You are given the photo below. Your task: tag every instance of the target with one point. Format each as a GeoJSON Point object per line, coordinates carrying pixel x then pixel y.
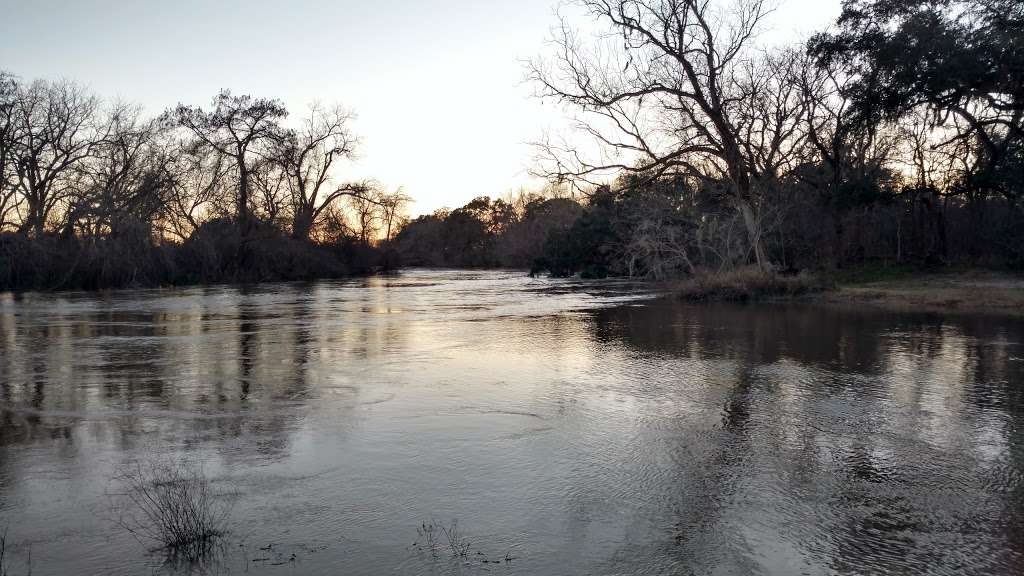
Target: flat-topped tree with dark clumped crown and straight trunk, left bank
{"type": "Point", "coordinates": [240, 129]}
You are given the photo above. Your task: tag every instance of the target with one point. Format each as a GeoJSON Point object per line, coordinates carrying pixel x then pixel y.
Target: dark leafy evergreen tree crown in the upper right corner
{"type": "Point", "coordinates": [961, 60]}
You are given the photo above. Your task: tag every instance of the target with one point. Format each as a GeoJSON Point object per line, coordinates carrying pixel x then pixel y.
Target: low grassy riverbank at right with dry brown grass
{"type": "Point", "coordinates": [951, 291]}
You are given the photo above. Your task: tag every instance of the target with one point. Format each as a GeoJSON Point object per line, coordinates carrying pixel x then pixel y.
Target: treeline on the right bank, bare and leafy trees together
{"type": "Point", "coordinates": [898, 137]}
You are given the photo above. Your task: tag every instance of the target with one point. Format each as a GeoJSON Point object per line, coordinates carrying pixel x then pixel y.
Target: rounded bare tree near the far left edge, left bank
{"type": "Point", "coordinates": [56, 131]}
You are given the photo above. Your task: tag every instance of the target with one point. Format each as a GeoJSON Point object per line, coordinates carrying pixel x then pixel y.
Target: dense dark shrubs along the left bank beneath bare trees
{"type": "Point", "coordinates": [217, 253]}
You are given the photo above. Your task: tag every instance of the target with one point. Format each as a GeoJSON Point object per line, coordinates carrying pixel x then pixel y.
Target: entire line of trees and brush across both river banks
{"type": "Point", "coordinates": [897, 137]}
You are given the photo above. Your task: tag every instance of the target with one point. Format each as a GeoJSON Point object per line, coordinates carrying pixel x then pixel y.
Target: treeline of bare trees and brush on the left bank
{"type": "Point", "coordinates": [95, 194]}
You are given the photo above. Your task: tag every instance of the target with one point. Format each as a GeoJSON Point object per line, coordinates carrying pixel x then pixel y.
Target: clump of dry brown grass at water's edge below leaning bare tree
{"type": "Point", "coordinates": [750, 283]}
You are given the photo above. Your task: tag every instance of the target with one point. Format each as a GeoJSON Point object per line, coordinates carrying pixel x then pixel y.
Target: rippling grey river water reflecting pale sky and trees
{"type": "Point", "coordinates": [573, 428]}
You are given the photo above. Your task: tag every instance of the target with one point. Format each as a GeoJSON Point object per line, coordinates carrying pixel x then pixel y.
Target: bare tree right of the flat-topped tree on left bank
{"type": "Point", "coordinates": [309, 157]}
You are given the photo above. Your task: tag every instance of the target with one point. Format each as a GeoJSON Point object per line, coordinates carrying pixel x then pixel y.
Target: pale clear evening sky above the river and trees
{"type": "Point", "coordinates": [438, 87]}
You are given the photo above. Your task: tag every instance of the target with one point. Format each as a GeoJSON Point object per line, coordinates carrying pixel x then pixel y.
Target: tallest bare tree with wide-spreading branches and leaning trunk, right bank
{"type": "Point", "coordinates": [668, 92]}
